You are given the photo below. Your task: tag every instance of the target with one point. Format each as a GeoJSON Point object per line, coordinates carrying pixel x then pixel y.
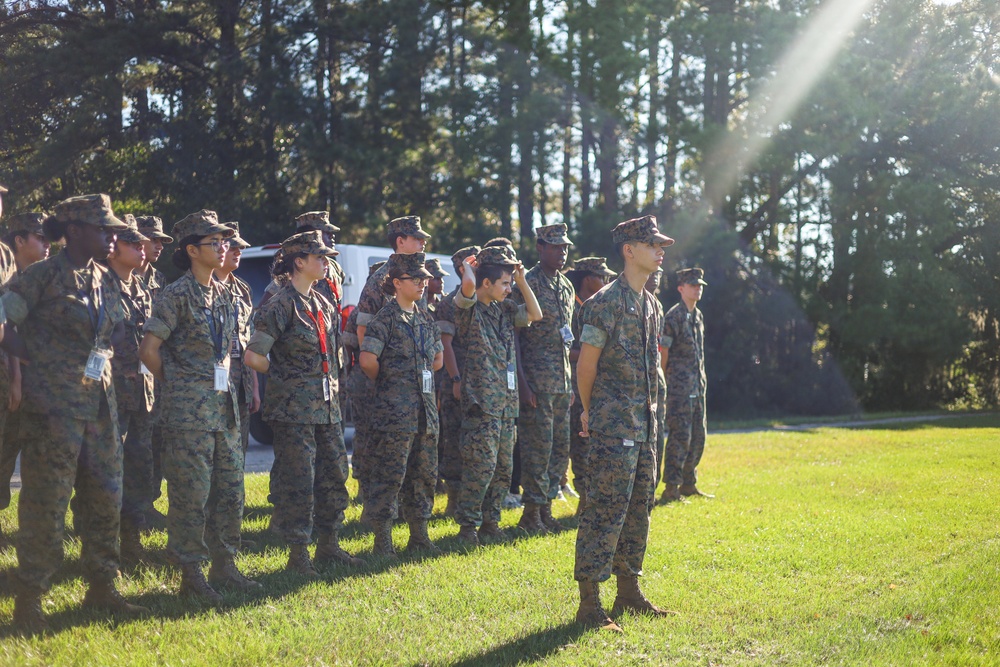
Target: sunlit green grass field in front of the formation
{"type": "Point", "coordinates": [876, 546]}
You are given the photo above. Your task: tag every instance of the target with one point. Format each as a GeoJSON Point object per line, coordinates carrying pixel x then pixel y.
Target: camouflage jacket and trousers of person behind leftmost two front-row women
{"type": "Point", "coordinates": [134, 391]}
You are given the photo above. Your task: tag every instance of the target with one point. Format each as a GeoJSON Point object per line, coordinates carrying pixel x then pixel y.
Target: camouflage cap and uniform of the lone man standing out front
{"type": "Point", "coordinates": [621, 463]}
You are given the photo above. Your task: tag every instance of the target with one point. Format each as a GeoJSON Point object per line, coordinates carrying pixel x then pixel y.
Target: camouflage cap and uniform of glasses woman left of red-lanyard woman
{"type": "Point", "coordinates": [203, 459]}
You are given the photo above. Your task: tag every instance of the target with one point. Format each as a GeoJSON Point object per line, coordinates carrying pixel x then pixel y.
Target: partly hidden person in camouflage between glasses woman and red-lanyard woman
{"type": "Point", "coordinates": [244, 379]}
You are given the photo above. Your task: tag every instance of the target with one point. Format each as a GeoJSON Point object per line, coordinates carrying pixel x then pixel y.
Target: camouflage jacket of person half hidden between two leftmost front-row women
{"type": "Point", "coordinates": [134, 390]}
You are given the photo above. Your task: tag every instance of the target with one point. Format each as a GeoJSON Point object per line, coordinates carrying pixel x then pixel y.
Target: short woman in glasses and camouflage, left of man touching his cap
{"type": "Point", "coordinates": [401, 351]}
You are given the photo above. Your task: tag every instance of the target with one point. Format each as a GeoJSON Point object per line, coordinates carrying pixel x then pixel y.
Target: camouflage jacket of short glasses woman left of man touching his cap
{"type": "Point", "coordinates": [405, 344]}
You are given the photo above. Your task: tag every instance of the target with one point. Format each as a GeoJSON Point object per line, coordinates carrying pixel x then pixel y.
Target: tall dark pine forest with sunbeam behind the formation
{"type": "Point", "coordinates": [832, 165]}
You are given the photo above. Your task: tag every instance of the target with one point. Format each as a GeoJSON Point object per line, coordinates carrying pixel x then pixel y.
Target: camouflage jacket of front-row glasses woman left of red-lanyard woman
{"type": "Point", "coordinates": [188, 399]}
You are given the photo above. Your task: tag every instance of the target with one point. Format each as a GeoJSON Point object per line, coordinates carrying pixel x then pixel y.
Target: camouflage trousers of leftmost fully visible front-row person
{"type": "Point", "coordinates": [61, 453]}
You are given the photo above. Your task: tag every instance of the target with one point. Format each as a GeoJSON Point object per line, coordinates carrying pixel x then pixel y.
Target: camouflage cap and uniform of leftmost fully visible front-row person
{"type": "Point", "coordinates": [69, 424]}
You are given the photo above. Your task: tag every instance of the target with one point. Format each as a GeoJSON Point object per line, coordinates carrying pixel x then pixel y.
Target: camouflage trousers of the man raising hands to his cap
{"type": "Point", "coordinates": [487, 461]}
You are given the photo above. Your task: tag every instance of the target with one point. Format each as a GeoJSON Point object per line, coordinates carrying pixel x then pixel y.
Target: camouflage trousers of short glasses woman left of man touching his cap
{"type": "Point", "coordinates": [404, 466]}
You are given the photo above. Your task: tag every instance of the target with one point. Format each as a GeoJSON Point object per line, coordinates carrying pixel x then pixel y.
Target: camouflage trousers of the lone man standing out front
{"type": "Point", "coordinates": [614, 525]}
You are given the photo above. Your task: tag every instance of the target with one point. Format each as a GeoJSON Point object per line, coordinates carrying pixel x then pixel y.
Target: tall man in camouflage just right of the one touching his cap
{"type": "Point", "coordinates": [545, 381]}
